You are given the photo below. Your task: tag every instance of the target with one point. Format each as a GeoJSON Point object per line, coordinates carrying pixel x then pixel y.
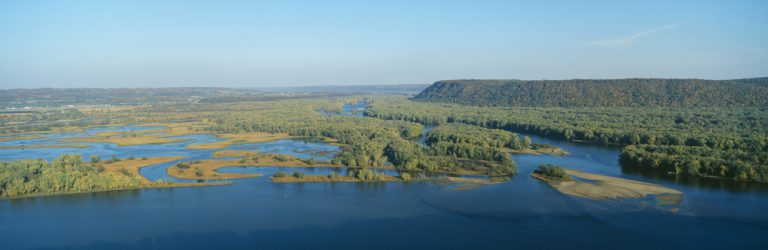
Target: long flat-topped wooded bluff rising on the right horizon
{"type": "Point", "coordinates": [751, 92]}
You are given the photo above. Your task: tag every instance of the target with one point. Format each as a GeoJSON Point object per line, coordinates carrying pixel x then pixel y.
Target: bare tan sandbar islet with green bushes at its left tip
{"type": "Point", "coordinates": [603, 187]}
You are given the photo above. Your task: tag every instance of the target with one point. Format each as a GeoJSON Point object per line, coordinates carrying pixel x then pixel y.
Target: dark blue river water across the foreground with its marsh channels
{"type": "Point", "coordinates": [257, 214]}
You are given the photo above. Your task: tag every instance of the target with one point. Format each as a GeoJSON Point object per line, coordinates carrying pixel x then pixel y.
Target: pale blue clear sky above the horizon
{"type": "Point", "coordinates": [66, 44]}
